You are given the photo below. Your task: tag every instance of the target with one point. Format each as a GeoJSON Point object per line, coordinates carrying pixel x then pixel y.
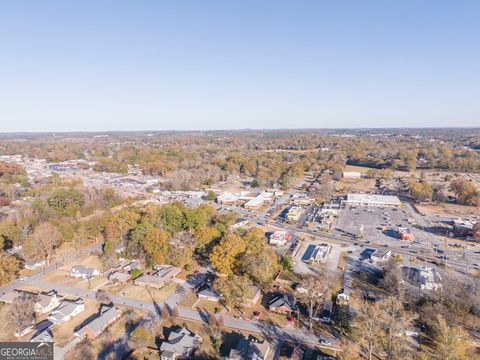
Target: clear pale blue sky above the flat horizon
{"type": "Point", "coordinates": [229, 64]}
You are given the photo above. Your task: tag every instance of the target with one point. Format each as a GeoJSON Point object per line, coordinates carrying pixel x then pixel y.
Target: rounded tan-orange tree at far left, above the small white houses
{"type": "Point", "coordinates": [45, 238]}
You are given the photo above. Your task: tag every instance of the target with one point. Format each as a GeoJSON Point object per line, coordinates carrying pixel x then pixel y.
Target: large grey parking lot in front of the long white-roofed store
{"type": "Point", "coordinates": [374, 219]}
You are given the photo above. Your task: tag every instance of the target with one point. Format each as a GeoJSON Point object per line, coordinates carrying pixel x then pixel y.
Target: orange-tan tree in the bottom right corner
{"type": "Point", "coordinates": [450, 341]}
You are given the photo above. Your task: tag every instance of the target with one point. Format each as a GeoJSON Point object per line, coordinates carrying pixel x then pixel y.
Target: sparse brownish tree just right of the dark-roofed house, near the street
{"type": "Point", "coordinates": [317, 290]}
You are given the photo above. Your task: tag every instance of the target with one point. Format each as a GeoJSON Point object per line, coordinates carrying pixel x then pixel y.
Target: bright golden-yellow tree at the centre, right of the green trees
{"type": "Point", "coordinates": [224, 254]}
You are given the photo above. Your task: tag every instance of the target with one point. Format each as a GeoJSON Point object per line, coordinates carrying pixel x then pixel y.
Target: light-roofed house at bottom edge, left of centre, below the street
{"type": "Point", "coordinates": [180, 344]}
